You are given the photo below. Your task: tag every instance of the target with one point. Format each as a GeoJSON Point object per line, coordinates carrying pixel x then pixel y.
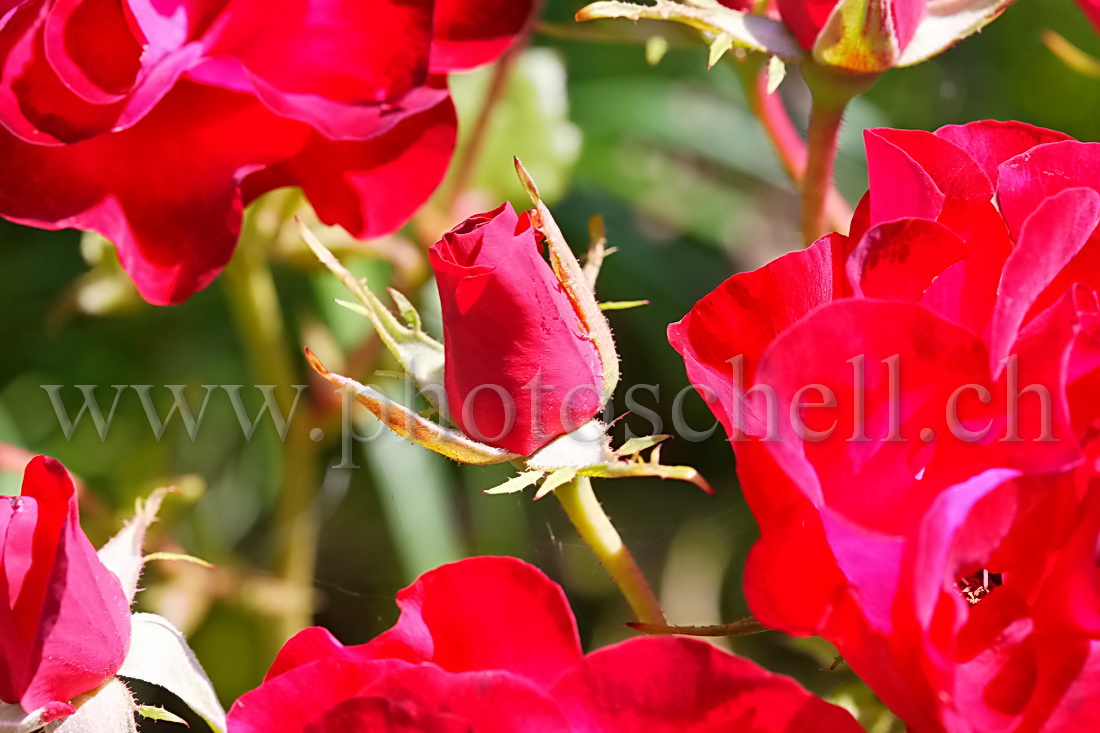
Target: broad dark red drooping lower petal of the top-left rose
{"type": "Point", "coordinates": [137, 188]}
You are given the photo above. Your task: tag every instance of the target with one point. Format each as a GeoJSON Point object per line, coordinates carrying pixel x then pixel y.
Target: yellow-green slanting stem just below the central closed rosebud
{"type": "Point", "coordinates": [596, 529]}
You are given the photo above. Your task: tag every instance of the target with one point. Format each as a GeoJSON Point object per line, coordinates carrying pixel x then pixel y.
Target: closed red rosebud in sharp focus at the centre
{"type": "Point", "coordinates": [520, 371]}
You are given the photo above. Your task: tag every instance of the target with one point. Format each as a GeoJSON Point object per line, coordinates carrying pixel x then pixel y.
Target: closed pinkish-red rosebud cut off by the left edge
{"type": "Point", "coordinates": [65, 629]}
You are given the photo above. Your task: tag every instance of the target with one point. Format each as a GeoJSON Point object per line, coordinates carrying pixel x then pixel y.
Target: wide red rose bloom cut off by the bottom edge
{"type": "Point", "coordinates": [490, 646]}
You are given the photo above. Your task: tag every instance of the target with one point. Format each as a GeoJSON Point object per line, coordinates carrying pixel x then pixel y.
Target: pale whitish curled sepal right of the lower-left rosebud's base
{"type": "Point", "coordinates": [159, 655]}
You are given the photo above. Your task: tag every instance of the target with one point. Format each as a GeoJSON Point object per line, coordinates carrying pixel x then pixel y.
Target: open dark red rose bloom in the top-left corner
{"type": "Point", "coordinates": [153, 124]}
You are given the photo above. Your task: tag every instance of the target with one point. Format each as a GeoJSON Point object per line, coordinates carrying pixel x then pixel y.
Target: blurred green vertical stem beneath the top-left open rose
{"type": "Point", "coordinates": [256, 308]}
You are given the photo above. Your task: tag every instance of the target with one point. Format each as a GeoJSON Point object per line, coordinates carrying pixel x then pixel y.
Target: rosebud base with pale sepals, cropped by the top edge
{"type": "Point", "coordinates": [874, 36]}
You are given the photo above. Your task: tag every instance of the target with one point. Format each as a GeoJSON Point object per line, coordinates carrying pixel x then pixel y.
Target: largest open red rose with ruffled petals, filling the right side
{"type": "Point", "coordinates": [915, 410]}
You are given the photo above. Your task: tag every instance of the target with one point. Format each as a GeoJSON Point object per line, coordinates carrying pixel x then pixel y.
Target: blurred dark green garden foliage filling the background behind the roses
{"type": "Point", "coordinates": [691, 195]}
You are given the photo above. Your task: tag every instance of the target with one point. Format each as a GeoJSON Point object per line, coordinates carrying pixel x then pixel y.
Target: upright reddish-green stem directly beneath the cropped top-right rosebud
{"type": "Point", "coordinates": [832, 91]}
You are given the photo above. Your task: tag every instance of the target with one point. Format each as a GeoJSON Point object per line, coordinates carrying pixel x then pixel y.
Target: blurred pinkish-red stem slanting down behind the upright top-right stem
{"type": "Point", "coordinates": [790, 148]}
